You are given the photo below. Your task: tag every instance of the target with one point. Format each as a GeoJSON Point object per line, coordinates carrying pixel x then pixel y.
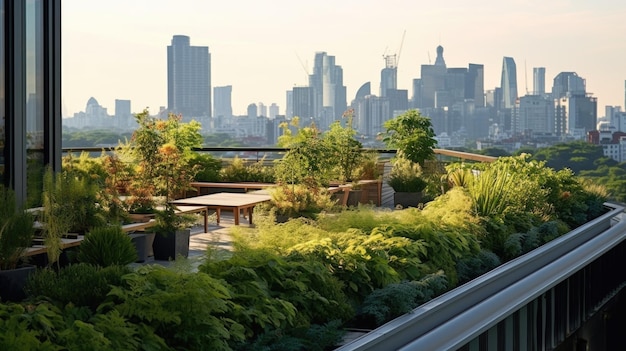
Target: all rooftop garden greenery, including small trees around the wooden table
{"type": "Point", "coordinates": [291, 285]}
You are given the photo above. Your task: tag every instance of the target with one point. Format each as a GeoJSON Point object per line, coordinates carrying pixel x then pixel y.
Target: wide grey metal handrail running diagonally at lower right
{"type": "Point", "coordinates": [429, 325]}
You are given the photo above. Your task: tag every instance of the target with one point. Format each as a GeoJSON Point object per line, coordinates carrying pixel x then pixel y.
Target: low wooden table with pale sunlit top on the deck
{"type": "Point", "coordinates": [226, 201]}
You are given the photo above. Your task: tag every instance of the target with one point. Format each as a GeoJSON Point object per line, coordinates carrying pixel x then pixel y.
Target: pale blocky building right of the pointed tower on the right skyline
{"type": "Point", "coordinates": [533, 114]}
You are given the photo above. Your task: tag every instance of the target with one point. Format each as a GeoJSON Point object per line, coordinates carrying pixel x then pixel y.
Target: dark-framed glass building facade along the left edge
{"type": "Point", "coordinates": [30, 95]}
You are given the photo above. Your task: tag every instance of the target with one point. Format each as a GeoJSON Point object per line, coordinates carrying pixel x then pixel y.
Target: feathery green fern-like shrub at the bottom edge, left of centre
{"type": "Point", "coordinates": [190, 311]}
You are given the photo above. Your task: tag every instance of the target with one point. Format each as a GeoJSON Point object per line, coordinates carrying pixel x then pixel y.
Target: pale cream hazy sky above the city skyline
{"type": "Point", "coordinates": [117, 49]}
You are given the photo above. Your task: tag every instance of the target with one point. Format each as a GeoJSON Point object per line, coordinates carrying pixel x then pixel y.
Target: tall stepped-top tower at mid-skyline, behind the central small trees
{"type": "Point", "coordinates": [329, 93]}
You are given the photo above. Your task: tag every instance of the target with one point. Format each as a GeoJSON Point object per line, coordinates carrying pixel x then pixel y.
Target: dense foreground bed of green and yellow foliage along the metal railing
{"type": "Point", "coordinates": [295, 285]}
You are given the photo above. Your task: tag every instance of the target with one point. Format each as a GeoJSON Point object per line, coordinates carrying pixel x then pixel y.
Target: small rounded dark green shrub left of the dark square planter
{"type": "Point", "coordinates": [107, 246]}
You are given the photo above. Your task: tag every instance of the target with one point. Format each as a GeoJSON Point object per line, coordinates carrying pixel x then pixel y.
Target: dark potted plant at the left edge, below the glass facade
{"type": "Point", "coordinates": [16, 235]}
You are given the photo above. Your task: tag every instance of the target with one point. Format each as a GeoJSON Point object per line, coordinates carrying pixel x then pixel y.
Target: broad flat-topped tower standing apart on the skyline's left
{"type": "Point", "coordinates": [188, 78]}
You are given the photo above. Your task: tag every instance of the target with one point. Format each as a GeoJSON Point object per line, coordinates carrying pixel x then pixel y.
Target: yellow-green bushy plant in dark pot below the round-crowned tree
{"type": "Point", "coordinates": [406, 179]}
